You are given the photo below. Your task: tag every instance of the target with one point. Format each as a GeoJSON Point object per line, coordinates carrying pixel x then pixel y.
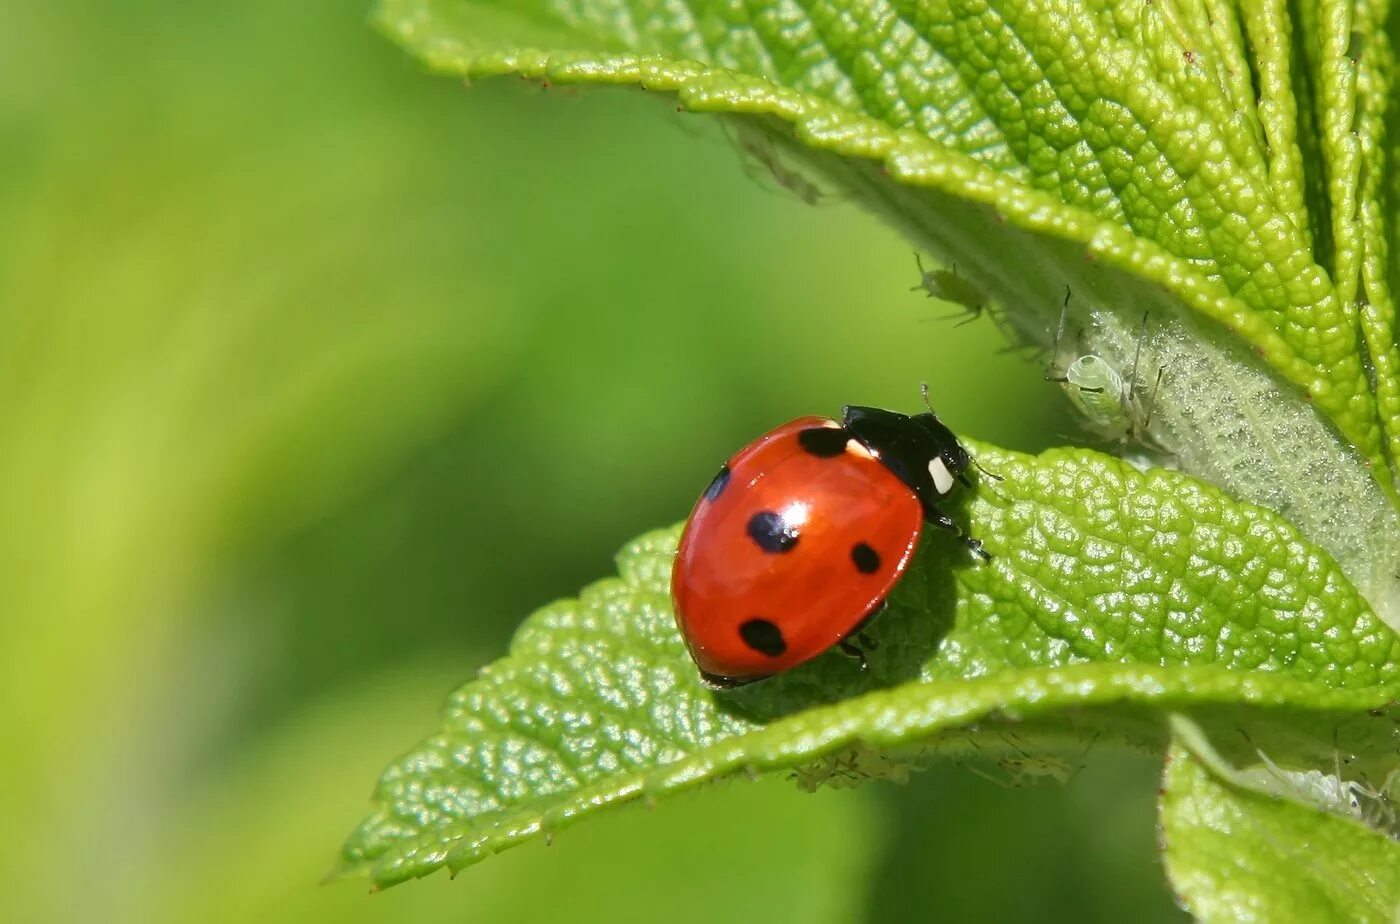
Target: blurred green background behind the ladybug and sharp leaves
{"type": "Point", "coordinates": [318, 374]}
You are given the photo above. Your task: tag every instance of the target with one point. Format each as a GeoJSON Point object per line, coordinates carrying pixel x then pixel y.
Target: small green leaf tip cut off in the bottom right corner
{"type": "Point", "coordinates": [1238, 855]}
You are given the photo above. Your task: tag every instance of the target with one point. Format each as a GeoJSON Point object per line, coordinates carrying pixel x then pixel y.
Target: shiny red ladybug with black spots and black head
{"type": "Point", "coordinates": [803, 534]}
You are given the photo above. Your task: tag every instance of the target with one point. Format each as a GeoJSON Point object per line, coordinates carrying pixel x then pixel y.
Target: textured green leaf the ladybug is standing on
{"type": "Point", "coordinates": [1112, 596]}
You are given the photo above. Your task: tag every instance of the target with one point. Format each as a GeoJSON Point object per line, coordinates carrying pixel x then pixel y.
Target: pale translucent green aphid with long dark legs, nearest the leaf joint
{"type": "Point", "coordinates": [1111, 404]}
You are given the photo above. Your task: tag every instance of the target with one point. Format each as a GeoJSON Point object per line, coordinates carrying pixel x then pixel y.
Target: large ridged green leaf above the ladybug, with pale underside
{"type": "Point", "coordinates": [1122, 150]}
